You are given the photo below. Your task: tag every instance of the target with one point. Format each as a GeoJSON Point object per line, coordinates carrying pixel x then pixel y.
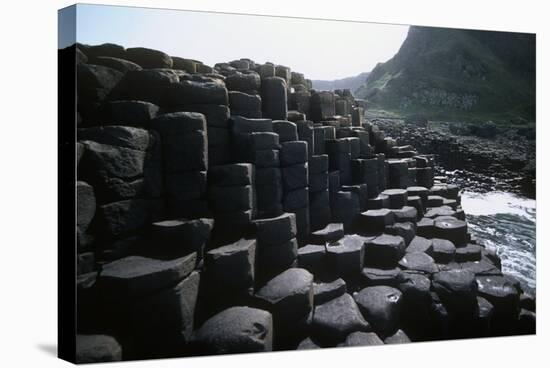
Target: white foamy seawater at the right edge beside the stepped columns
{"type": "Point", "coordinates": [506, 222]}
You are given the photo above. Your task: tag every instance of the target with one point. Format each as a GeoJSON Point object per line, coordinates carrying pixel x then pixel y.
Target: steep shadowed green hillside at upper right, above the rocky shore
{"type": "Point", "coordinates": [457, 74]}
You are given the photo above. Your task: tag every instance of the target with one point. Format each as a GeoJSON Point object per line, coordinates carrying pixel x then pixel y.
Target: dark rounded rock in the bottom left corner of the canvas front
{"type": "Point", "coordinates": [97, 349]}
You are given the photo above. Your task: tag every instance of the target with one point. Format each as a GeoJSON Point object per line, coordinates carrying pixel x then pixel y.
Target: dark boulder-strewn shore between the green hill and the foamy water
{"type": "Point", "coordinates": [488, 158]}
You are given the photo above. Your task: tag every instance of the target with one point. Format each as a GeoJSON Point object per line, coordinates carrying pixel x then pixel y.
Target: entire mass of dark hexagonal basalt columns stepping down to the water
{"type": "Point", "coordinates": [232, 208]}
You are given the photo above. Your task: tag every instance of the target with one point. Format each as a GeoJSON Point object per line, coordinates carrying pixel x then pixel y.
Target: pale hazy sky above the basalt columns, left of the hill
{"type": "Point", "coordinates": [320, 49]}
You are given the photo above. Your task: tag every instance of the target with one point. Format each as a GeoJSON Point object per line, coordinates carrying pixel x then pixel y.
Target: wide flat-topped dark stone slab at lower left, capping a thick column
{"type": "Point", "coordinates": [136, 275]}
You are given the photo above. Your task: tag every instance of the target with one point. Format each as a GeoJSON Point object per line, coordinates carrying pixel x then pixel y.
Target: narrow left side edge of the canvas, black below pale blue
{"type": "Point", "coordinates": [66, 159]}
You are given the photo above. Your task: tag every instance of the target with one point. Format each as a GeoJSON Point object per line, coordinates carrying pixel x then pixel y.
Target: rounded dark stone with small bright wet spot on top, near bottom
{"type": "Point", "coordinates": [381, 306]}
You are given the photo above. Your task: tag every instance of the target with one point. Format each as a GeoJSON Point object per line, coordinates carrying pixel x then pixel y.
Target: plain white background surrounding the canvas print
{"type": "Point", "coordinates": [28, 209]}
